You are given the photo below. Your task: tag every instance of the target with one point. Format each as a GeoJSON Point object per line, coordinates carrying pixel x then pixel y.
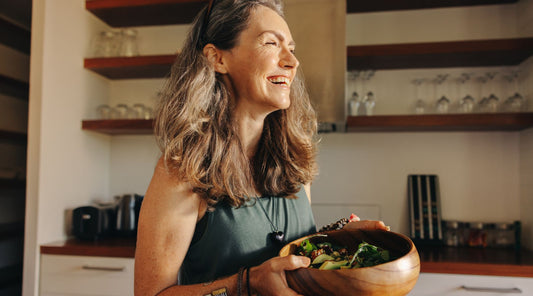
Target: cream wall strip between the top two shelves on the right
{"type": "Point", "coordinates": [430, 25]}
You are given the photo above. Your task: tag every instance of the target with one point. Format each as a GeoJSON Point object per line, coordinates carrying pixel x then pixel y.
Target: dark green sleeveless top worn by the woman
{"type": "Point", "coordinates": [237, 237]}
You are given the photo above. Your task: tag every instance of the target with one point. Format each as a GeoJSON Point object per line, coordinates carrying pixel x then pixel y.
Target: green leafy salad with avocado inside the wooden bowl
{"type": "Point", "coordinates": [328, 256]}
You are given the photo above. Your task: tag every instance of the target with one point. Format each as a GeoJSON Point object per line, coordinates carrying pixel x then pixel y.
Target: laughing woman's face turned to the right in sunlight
{"type": "Point", "coordinates": [262, 66]}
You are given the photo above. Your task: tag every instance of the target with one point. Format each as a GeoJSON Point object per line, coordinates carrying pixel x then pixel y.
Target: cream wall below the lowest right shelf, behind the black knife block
{"type": "Point", "coordinates": [478, 173]}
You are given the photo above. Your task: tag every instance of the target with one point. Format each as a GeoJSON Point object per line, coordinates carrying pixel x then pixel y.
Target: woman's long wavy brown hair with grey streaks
{"type": "Point", "coordinates": [193, 124]}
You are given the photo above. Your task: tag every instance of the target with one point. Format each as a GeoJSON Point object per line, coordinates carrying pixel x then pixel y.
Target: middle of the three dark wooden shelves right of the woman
{"type": "Point", "coordinates": [495, 52]}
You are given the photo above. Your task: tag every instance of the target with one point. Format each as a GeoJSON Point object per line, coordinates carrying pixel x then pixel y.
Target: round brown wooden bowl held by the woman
{"type": "Point", "coordinates": [393, 278]}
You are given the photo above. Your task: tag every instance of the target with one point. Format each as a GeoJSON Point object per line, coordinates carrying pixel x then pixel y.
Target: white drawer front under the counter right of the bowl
{"type": "Point", "coordinates": [436, 284]}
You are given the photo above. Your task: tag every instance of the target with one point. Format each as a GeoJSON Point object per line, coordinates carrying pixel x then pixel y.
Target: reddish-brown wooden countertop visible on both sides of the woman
{"type": "Point", "coordinates": [455, 260]}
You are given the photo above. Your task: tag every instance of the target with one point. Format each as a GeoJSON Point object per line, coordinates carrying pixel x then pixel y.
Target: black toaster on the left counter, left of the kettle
{"type": "Point", "coordinates": [93, 222]}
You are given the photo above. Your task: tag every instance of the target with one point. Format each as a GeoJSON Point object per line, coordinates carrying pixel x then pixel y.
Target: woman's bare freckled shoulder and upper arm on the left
{"type": "Point", "coordinates": [166, 225]}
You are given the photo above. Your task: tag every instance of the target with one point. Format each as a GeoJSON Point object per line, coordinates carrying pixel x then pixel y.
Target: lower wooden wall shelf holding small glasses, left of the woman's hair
{"type": "Point", "coordinates": [120, 126]}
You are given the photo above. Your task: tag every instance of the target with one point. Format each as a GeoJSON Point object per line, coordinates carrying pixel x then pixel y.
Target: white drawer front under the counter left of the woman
{"type": "Point", "coordinates": [86, 275]}
